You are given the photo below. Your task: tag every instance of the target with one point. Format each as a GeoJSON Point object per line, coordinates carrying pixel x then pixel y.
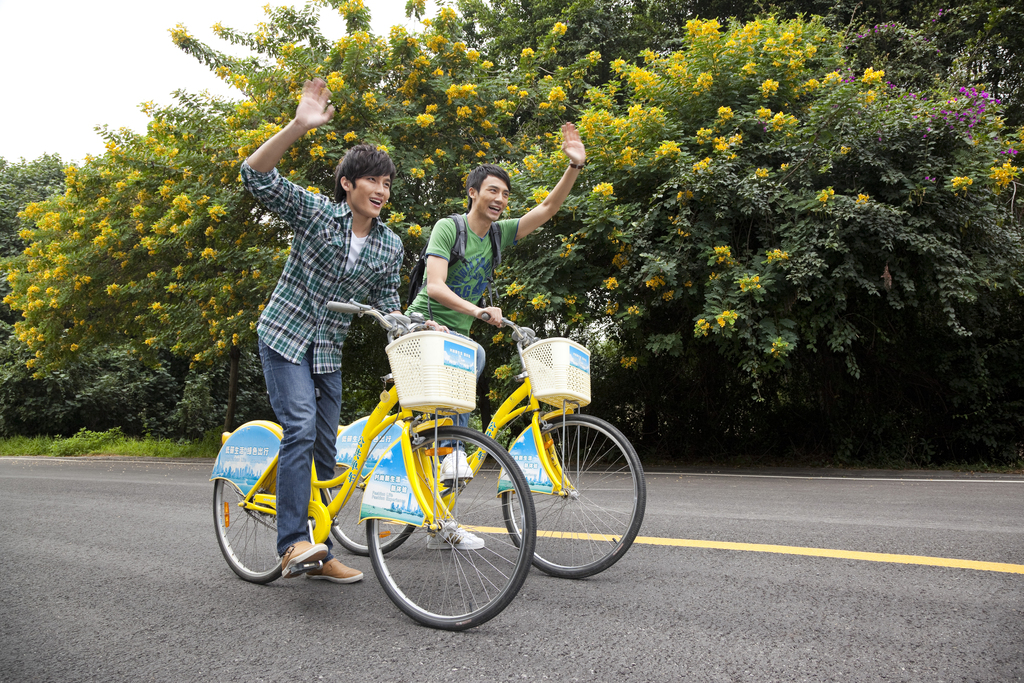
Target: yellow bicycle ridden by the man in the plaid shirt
{"type": "Point", "coordinates": [414, 521]}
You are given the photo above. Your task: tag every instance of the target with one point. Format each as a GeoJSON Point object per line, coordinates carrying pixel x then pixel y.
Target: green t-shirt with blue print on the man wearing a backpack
{"type": "Point", "coordinates": [468, 278]}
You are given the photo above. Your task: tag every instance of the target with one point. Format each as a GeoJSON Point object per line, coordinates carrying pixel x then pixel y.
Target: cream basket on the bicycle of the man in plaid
{"type": "Point", "coordinates": [435, 371]}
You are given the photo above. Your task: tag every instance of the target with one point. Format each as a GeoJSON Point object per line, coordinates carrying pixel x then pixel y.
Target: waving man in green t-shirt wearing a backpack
{"type": "Point", "coordinates": [454, 294]}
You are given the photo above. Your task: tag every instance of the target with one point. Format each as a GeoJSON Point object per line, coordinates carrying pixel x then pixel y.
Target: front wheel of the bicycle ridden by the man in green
{"type": "Point", "coordinates": [587, 532]}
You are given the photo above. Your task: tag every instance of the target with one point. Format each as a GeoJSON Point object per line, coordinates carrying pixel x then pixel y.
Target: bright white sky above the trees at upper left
{"type": "Point", "coordinates": [68, 67]}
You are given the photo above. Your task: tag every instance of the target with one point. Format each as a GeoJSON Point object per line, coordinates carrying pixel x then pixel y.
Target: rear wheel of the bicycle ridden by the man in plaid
{"type": "Point", "coordinates": [248, 539]}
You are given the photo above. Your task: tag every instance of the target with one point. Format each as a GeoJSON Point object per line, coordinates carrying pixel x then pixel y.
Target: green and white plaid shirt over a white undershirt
{"type": "Point", "coordinates": [315, 273]}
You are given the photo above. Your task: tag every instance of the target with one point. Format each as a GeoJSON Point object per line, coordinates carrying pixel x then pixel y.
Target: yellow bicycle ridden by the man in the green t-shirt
{"type": "Point", "coordinates": [586, 479]}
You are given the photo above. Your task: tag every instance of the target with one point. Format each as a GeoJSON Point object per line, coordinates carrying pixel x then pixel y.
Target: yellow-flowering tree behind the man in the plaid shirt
{"type": "Point", "coordinates": [156, 244]}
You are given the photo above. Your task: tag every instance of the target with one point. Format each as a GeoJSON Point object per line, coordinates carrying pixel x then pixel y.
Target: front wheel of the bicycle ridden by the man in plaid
{"type": "Point", "coordinates": [457, 586]}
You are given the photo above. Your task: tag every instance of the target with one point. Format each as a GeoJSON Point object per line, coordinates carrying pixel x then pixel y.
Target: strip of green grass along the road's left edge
{"type": "Point", "coordinates": [112, 443]}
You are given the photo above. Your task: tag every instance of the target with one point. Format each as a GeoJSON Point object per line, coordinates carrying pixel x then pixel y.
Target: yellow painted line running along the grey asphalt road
{"type": "Point", "coordinates": [788, 550]}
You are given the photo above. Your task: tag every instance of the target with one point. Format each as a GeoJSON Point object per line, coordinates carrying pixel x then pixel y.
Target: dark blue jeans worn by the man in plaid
{"type": "Point", "coordinates": [311, 426]}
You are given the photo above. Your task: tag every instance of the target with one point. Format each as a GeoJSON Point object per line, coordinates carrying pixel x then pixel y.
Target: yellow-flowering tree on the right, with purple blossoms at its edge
{"type": "Point", "coordinates": [754, 195]}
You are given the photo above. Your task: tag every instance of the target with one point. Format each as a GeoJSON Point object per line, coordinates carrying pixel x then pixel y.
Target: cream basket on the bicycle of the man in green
{"type": "Point", "coordinates": [560, 370]}
